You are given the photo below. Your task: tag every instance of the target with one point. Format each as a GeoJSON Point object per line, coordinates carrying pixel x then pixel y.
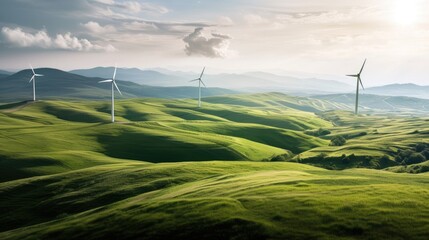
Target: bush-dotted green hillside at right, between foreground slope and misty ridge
{"type": "Point", "coordinates": [372, 141]}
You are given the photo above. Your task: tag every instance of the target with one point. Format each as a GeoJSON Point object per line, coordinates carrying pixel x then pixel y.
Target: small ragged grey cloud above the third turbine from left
{"type": "Point", "coordinates": [215, 46]}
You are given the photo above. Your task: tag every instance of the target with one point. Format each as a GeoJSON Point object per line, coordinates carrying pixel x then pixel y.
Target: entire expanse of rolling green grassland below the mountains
{"type": "Point", "coordinates": [232, 169]}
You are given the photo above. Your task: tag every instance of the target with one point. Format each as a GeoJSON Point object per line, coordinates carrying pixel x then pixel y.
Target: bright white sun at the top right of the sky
{"type": "Point", "coordinates": [405, 12]}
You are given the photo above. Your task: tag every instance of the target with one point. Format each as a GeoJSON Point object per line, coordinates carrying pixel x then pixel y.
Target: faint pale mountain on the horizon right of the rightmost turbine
{"type": "Point", "coordinates": [410, 90]}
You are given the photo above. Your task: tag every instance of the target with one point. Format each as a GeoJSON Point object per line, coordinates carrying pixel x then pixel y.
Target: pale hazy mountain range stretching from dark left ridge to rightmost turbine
{"type": "Point", "coordinates": [249, 82]}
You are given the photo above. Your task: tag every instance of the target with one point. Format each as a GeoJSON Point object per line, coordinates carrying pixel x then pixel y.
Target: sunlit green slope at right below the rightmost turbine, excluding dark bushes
{"type": "Point", "coordinates": [384, 135]}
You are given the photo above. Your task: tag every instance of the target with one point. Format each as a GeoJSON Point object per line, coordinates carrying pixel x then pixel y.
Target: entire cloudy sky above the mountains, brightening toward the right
{"type": "Point", "coordinates": [319, 38]}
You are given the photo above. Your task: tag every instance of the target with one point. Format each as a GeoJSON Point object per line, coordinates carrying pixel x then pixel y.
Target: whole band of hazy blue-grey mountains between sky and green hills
{"type": "Point", "coordinates": [162, 83]}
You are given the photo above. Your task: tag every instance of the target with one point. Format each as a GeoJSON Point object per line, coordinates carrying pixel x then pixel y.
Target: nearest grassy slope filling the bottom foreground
{"type": "Point", "coordinates": [216, 200]}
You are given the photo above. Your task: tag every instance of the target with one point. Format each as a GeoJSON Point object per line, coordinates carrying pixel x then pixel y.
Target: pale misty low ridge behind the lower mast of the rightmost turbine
{"type": "Point", "coordinates": [369, 102]}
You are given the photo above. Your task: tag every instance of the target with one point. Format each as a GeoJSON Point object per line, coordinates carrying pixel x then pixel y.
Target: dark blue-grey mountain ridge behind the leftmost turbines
{"type": "Point", "coordinates": [60, 84]}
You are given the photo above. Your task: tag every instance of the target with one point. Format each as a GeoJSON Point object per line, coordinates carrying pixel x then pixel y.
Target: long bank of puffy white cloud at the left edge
{"type": "Point", "coordinates": [18, 38]}
